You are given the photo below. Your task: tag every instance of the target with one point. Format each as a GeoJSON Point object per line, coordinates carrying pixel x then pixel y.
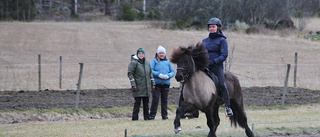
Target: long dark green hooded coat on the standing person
{"type": "Point", "coordinates": [140, 75]}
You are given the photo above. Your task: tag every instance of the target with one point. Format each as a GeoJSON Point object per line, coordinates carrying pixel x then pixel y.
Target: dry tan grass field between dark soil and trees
{"type": "Point", "coordinates": [105, 49]}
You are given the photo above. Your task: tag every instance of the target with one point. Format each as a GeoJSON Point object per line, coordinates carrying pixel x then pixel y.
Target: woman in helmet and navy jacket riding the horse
{"type": "Point", "coordinates": [217, 47]}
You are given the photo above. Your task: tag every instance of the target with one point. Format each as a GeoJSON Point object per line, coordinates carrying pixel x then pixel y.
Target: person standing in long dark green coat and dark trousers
{"type": "Point", "coordinates": [142, 83]}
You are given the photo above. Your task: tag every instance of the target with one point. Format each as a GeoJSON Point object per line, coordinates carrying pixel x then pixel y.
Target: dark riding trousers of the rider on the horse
{"type": "Point", "coordinates": [218, 71]}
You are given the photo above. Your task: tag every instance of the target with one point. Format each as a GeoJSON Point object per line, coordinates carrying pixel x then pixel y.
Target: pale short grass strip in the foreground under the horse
{"type": "Point", "coordinates": [294, 119]}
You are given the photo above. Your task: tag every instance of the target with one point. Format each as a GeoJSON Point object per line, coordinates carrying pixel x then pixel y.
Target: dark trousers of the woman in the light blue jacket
{"type": "Point", "coordinates": [160, 91]}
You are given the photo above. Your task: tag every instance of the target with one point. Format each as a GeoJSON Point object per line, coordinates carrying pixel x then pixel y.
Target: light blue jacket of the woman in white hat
{"type": "Point", "coordinates": [164, 67]}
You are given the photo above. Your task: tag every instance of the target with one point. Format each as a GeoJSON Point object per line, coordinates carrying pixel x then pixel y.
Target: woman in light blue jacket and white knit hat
{"type": "Point", "coordinates": [162, 71]}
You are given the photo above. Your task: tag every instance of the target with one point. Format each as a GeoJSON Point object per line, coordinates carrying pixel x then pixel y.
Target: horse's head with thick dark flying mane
{"type": "Point", "coordinates": [189, 60]}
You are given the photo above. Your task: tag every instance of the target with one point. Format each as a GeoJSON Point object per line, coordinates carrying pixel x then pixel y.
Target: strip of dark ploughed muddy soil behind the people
{"type": "Point", "coordinates": [106, 98]}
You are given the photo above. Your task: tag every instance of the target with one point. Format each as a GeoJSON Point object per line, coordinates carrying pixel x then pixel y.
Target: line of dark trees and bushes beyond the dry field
{"type": "Point", "coordinates": [181, 12]}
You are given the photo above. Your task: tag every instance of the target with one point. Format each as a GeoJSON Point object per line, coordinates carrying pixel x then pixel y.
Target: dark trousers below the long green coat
{"type": "Point", "coordinates": [136, 108]}
